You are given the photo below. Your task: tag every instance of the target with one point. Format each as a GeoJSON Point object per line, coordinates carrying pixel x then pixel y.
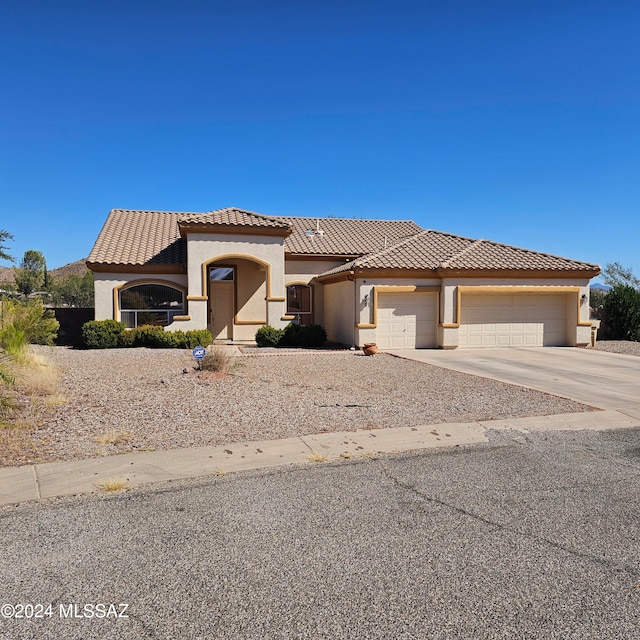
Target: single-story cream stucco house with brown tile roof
{"type": "Point", "coordinates": [383, 281]}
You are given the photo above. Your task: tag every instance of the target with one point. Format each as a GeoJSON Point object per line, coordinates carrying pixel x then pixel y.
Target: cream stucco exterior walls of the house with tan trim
{"type": "Point", "coordinates": [260, 291]}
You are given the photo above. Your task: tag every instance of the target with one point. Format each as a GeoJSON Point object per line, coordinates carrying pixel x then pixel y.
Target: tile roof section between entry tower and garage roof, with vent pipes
{"type": "Point", "coordinates": [344, 236]}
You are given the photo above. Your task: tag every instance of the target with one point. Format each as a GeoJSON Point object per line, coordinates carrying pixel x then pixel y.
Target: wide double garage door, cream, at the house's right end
{"type": "Point", "coordinates": [513, 320]}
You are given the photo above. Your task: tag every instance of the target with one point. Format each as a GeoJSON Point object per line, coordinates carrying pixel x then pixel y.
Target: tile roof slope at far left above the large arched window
{"type": "Point", "coordinates": [139, 238]}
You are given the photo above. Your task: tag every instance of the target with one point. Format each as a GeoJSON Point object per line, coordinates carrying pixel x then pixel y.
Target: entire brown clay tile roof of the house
{"type": "Point", "coordinates": [137, 238]}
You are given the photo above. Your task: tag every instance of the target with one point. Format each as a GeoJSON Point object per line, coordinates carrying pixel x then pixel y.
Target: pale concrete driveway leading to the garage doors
{"type": "Point", "coordinates": [601, 379]}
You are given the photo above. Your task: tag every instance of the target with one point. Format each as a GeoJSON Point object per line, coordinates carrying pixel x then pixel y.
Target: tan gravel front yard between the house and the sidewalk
{"type": "Point", "coordinates": [133, 399]}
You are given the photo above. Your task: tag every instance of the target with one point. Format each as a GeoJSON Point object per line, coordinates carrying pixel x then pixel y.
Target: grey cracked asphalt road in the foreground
{"type": "Point", "coordinates": [529, 536]}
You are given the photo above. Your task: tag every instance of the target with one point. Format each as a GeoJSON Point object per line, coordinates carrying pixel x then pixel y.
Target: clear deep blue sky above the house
{"type": "Point", "coordinates": [513, 121]}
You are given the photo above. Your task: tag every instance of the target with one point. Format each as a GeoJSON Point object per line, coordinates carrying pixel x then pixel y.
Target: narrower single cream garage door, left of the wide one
{"type": "Point", "coordinates": [406, 320]}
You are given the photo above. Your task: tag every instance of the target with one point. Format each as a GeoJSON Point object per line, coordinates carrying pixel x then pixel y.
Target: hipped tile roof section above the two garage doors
{"type": "Point", "coordinates": [434, 250]}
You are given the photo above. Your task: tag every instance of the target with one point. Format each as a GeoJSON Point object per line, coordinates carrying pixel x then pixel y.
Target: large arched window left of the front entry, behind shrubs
{"type": "Point", "coordinates": [150, 304]}
